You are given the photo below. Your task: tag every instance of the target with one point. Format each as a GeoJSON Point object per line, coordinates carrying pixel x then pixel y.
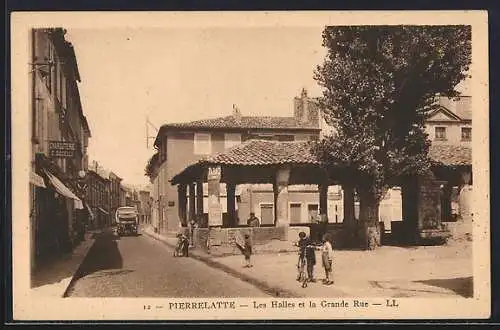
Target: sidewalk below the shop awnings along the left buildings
{"type": "Point", "coordinates": [53, 278]}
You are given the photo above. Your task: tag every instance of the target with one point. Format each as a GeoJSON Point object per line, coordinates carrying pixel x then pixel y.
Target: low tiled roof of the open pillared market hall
{"type": "Point", "coordinates": [264, 152]}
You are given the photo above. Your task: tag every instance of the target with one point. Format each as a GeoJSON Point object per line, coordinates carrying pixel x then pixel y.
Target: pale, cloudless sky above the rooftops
{"type": "Point", "coordinates": [175, 75]}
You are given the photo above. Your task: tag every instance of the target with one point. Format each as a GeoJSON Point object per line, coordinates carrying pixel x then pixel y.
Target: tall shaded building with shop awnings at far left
{"type": "Point", "coordinates": [59, 140]}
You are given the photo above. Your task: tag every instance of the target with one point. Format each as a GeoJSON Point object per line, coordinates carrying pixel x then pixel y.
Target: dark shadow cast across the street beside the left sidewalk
{"type": "Point", "coordinates": [103, 255]}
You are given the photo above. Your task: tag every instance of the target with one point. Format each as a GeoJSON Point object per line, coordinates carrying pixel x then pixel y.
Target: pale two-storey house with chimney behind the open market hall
{"type": "Point", "coordinates": [183, 143]}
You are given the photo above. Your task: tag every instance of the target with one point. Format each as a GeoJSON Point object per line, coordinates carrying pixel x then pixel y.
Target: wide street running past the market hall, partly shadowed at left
{"type": "Point", "coordinates": [139, 266]}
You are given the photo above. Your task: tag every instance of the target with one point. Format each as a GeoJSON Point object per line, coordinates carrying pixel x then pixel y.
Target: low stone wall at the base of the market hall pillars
{"type": "Point", "coordinates": [221, 241]}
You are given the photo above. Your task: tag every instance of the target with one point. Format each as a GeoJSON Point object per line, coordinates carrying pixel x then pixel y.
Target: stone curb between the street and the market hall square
{"type": "Point", "coordinates": [262, 285]}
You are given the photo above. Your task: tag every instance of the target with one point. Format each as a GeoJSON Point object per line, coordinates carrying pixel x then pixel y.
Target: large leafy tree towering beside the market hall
{"type": "Point", "coordinates": [379, 85]}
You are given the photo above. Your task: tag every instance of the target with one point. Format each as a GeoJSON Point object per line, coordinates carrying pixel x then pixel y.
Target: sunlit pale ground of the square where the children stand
{"type": "Point", "coordinates": [423, 271]}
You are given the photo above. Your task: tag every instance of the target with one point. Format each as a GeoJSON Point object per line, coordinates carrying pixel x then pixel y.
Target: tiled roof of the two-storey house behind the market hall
{"type": "Point", "coordinates": [245, 122]}
